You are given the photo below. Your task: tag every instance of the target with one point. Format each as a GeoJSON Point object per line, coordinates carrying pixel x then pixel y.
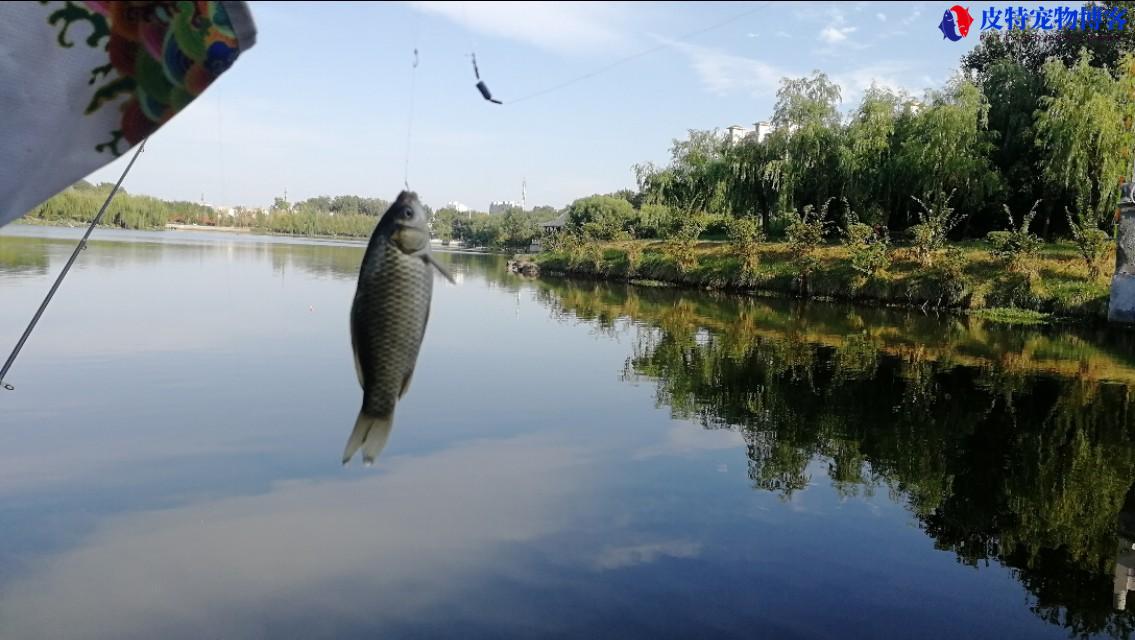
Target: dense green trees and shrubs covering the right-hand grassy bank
{"type": "Point", "coordinates": [997, 191]}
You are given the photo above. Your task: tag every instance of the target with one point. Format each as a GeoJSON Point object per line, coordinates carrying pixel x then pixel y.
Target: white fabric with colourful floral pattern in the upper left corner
{"type": "Point", "coordinates": [82, 83]}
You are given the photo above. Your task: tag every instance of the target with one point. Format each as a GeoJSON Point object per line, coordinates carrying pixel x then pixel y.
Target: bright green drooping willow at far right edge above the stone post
{"type": "Point", "coordinates": [1086, 130]}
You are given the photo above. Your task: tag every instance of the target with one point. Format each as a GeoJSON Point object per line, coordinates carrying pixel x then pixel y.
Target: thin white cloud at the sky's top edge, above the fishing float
{"type": "Point", "coordinates": [568, 28]}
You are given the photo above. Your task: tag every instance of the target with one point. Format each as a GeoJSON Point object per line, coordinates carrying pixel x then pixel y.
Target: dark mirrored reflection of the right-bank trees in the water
{"type": "Point", "coordinates": [1008, 447]}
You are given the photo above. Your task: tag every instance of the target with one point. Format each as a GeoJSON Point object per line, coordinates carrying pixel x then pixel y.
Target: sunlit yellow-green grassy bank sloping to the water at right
{"type": "Point", "coordinates": [1053, 284]}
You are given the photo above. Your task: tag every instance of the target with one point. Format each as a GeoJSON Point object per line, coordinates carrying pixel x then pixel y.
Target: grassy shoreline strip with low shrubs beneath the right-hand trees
{"type": "Point", "coordinates": [982, 289]}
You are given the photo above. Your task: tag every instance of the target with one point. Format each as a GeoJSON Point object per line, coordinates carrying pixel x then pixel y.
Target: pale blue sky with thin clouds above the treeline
{"type": "Point", "coordinates": [321, 105]}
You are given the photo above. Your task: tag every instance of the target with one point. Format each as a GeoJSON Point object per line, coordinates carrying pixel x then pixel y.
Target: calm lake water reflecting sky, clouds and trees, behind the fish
{"type": "Point", "coordinates": [573, 460]}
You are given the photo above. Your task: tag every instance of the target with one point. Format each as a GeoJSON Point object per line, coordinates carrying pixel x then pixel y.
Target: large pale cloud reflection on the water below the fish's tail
{"type": "Point", "coordinates": [403, 540]}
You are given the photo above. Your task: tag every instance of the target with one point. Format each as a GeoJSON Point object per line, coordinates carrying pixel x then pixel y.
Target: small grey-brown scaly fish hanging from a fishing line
{"type": "Point", "coordinates": [389, 319]}
